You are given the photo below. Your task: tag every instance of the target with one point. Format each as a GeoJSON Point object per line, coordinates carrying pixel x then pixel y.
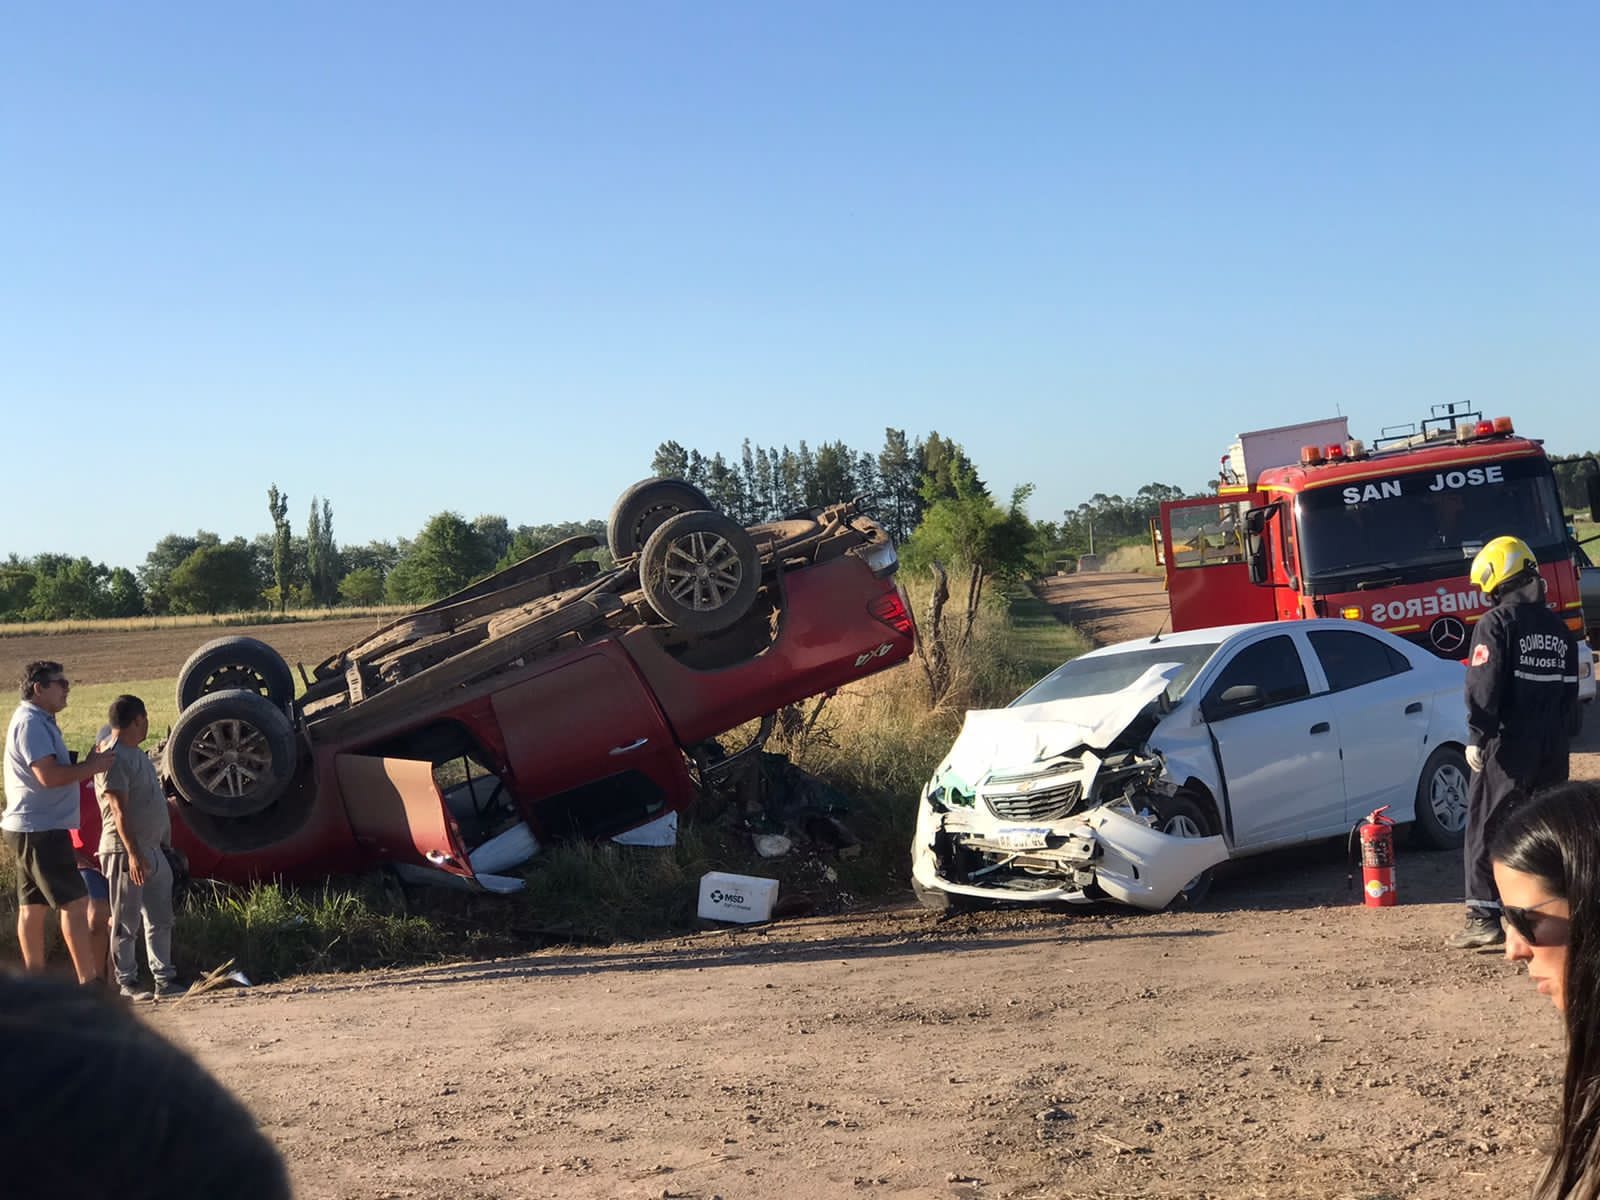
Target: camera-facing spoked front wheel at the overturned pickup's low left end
{"type": "Point", "coordinates": [231, 754]}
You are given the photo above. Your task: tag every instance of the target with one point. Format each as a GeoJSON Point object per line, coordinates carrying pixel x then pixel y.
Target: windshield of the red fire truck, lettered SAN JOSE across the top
{"type": "Point", "coordinates": [1426, 524]}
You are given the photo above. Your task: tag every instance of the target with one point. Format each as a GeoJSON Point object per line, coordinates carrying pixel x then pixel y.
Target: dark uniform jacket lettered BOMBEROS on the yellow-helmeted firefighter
{"type": "Point", "coordinates": [1522, 682]}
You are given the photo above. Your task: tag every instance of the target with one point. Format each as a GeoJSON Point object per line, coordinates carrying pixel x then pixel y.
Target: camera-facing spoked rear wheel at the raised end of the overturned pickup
{"type": "Point", "coordinates": [702, 572]}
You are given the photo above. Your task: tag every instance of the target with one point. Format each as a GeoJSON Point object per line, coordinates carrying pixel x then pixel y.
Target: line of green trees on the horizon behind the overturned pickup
{"type": "Point", "coordinates": [926, 490]}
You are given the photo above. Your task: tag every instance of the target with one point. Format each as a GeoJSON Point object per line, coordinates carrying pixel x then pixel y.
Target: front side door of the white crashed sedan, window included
{"type": "Point", "coordinates": [1278, 743]}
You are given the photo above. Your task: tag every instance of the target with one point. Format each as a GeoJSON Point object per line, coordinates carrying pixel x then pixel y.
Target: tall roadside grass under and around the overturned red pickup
{"type": "Point", "coordinates": [871, 746]}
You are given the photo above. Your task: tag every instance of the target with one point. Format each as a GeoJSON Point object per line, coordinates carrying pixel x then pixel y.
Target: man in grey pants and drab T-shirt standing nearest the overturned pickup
{"type": "Point", "coordinates": [135, 834]}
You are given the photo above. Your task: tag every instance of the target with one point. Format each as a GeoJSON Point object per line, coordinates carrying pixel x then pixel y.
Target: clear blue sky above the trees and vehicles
{"type": "Point", "coordinates": [489, 257]}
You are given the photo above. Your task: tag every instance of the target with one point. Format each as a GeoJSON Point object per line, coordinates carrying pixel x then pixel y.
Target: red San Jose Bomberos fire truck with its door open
{"type": "Point", "coordinates": [1311, 522]}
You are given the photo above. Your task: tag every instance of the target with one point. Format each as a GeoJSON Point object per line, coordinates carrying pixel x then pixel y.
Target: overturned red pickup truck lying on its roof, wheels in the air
{"type": "Point", "coordinates": [558, 695]}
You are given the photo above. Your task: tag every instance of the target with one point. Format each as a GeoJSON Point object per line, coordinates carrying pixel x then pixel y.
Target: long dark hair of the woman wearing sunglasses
{"type": "Point", "coordinates": [1556, 838]}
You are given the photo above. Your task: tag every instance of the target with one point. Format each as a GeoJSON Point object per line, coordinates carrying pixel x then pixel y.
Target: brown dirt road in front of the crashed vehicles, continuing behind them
{"type": "Point", "coordinates": [1281, 1042]}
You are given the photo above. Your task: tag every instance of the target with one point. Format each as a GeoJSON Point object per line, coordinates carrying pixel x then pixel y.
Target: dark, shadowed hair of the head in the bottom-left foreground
{"type": "Point", "coordinates": [97, 1103]}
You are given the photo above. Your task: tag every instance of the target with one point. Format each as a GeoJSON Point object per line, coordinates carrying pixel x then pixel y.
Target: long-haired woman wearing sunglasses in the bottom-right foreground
{"type": "Point", "coordinates": [1546, 858]}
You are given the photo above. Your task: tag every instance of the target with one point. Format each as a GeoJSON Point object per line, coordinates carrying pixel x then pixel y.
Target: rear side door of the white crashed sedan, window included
{"type": "Point", "coordinates": [1383, 708]}
